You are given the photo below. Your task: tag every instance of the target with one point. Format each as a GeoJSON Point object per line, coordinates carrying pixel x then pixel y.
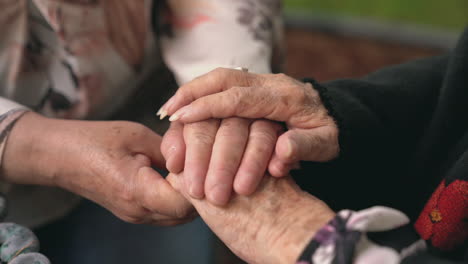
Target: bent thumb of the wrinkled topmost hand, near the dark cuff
{"type": "Point", "coordinates": [317, 144]}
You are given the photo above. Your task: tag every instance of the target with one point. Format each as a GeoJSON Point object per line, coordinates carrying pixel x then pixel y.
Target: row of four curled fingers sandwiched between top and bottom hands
{"type": "Point", "coordinates": [218, 156]}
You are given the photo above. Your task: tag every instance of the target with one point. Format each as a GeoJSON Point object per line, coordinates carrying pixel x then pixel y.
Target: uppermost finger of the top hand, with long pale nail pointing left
{"type": "Point", "coordinates": [213, 82]}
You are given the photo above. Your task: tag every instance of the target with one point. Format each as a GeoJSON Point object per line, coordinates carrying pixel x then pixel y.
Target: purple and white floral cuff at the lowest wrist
{"type": "Point", "coordinates": [373, 235]}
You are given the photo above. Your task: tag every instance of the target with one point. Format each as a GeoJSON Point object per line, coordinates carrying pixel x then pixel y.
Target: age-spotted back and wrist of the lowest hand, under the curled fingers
{"type": "Point", "coordinates": [273, 225]}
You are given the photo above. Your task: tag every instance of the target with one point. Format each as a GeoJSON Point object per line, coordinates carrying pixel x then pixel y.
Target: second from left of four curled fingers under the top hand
{"type": "Point", "coordinates": [199, 139]}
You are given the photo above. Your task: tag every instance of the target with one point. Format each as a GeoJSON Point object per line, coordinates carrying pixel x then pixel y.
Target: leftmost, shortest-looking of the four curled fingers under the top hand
{"type": "Point", "coordinates": [173, 147]}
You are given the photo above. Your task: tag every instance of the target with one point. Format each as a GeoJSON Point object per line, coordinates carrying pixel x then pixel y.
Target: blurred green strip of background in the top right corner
{"type": "Point", "coordinates": [443, 14]}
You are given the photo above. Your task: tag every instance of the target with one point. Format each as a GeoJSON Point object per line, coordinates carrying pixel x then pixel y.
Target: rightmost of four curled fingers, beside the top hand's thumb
{"type": "Point", "coordinates": [260, 146]}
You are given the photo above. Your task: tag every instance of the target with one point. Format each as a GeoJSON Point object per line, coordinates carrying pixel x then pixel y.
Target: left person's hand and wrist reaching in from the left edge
{"type": "Point", "coordinates": [107, 162]}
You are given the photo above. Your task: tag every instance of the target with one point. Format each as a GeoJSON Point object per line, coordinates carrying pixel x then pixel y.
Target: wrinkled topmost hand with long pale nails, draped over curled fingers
{"type": "Point", "coordinates": [312, 134]}
